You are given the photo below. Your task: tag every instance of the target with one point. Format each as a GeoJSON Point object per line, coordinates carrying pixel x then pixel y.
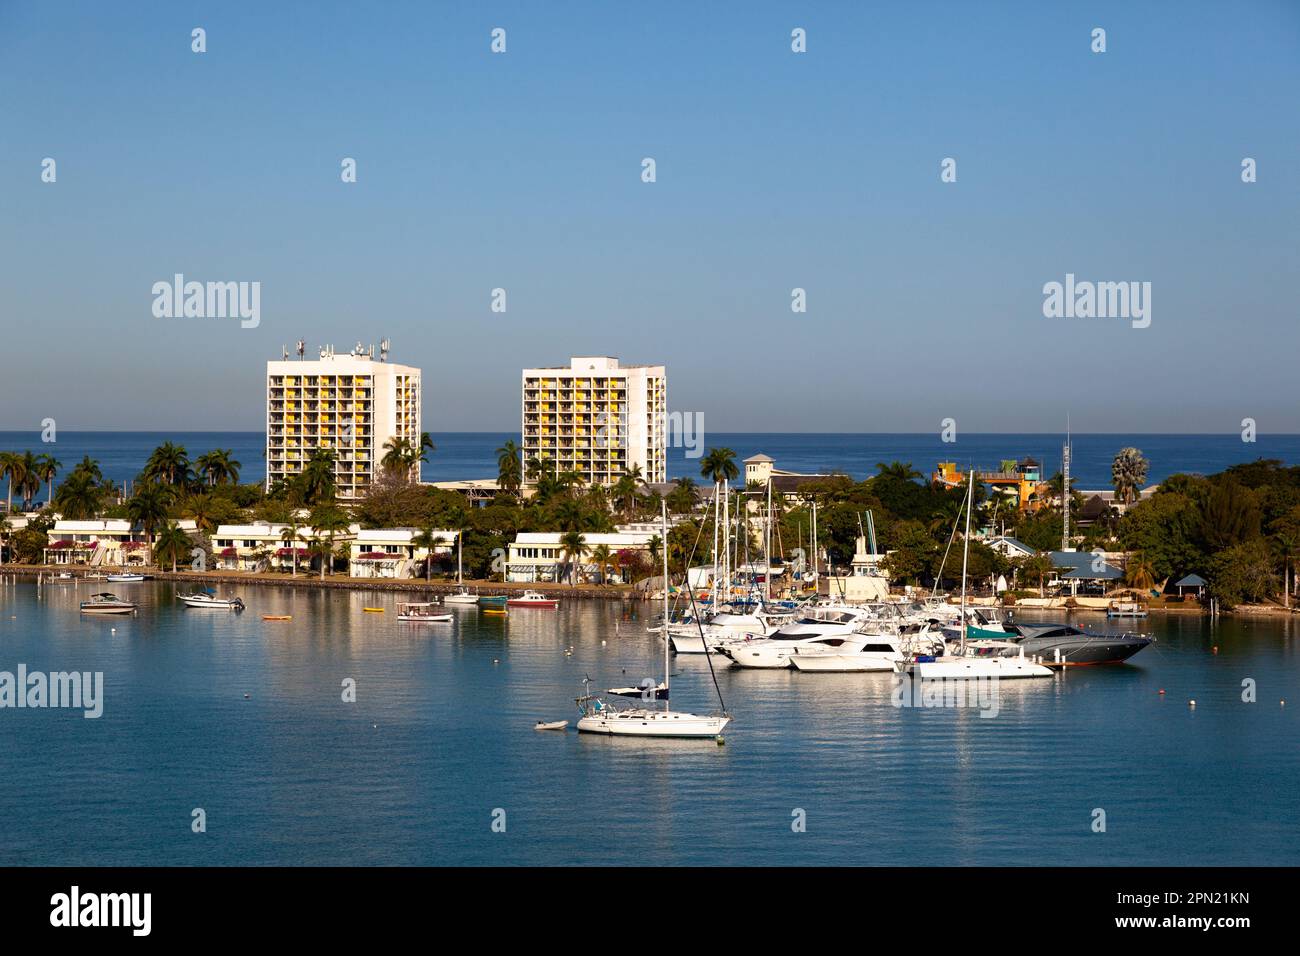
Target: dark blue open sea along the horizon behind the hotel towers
{"type": "Point", "coordinates": [474, 455]}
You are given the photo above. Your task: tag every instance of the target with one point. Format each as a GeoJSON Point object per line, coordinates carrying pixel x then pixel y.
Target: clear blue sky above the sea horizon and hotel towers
{"type": "Point", "coordinates": [775, 170]}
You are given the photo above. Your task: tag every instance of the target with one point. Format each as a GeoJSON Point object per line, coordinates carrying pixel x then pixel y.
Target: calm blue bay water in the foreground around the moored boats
{"type": "Point", "coordinates": [441, 734]}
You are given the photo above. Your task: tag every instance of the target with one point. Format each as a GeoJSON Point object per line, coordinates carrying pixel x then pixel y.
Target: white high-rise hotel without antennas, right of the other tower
{"type": "Point", "coordinates": [597, 418]}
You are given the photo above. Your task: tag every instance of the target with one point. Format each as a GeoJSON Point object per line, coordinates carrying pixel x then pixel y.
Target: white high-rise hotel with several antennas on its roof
{"type": "Point", "coordinates": [350, 404]}
